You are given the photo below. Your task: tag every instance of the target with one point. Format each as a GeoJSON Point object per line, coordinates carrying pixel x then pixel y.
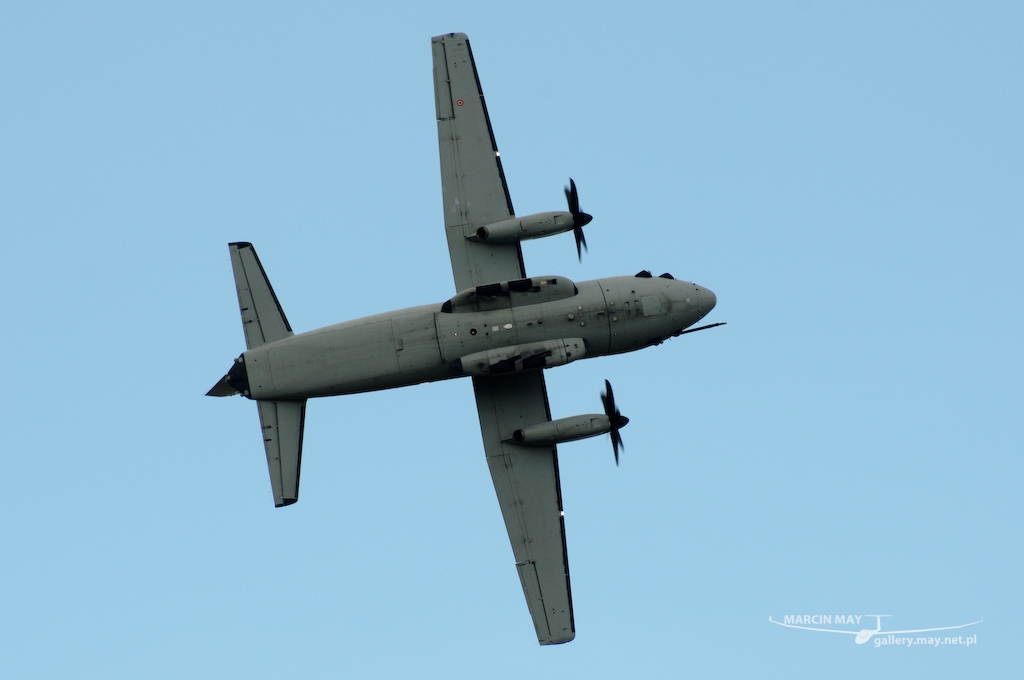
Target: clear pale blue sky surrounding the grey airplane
{"type": "Point", "coordinates": [847, 179]}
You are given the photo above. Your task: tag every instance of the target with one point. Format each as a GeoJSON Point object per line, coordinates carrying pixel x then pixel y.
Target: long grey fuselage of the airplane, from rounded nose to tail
{"type": "Point", "coordinates": [439, 343]}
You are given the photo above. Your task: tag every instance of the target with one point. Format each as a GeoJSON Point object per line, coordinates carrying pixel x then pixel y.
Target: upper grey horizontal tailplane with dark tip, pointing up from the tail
{"type": "Point", "coordinates": [263, 317]}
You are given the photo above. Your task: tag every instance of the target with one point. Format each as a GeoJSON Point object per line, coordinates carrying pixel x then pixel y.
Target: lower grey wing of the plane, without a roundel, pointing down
{"type": "Point", "coordinates": [529, 493]}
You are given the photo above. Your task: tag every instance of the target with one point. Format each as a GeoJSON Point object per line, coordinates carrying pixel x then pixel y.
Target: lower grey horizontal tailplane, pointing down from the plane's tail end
{"type": "Point", "coordinates": [282, 423]}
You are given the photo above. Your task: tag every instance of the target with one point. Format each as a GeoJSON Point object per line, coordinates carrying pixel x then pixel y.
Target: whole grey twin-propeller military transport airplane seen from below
{"type": "Point", "coordinates": [502, 329]}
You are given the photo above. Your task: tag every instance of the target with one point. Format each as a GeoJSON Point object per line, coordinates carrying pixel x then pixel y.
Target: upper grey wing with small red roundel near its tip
{"type": "Point", "coordinates": [473, 180]}
